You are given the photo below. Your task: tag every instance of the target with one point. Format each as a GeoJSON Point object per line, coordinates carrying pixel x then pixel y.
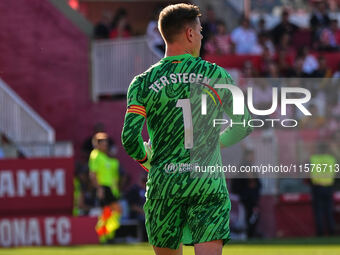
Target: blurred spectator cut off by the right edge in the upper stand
{"type": "Point", "coordinates": [328, 40]}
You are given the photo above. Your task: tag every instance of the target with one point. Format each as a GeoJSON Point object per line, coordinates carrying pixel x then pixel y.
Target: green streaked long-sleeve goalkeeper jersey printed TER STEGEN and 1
{"type": "Point", "coordinates": [168, 96]}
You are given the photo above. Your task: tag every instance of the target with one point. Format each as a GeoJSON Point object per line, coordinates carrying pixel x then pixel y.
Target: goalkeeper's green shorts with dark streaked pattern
{"type": "Point", "coordinates": [188, 220]}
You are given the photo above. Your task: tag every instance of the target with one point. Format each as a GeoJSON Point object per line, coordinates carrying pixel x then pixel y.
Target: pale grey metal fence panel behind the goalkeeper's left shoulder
{"type": "Point", "coordinates": [116, 62]}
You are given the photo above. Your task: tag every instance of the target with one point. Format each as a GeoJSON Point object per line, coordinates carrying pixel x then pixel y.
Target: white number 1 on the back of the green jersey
{"type": "Point", "coordinates": [187, 119]}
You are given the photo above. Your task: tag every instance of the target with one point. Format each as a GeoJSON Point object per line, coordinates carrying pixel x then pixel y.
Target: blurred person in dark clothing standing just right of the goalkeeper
{"type": "Point", "coordinates": [248, 190]}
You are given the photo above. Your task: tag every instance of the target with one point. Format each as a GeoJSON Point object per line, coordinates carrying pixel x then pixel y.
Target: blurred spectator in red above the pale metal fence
{"type": "Point", "coordinates": [120, 28]}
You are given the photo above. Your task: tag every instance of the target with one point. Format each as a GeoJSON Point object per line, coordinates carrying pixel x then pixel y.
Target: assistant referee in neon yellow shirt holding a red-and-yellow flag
{"type": "Point", "coordinates": [104, 174]}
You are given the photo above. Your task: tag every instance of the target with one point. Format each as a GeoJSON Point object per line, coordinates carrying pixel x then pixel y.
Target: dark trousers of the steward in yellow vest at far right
{"type": "Point", "coordinates": [323, 209]}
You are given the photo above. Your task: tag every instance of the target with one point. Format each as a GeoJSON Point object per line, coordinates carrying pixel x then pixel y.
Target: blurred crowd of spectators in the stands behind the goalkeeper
{"type": "Point", "coordinates": [285, 50]}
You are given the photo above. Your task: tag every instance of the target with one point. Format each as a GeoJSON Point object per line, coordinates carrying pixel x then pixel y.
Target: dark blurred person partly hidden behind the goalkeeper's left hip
{"type": "Point", "coordinates": [136, 199]}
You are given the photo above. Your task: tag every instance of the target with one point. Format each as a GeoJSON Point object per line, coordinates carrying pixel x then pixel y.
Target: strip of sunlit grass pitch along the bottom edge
{"type": "Point", "coordinates": [310, 247]}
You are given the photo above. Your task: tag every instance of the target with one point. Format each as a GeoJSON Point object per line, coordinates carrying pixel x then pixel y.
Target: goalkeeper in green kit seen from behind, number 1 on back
{"type": "Point", "coordinates": [181, 207]}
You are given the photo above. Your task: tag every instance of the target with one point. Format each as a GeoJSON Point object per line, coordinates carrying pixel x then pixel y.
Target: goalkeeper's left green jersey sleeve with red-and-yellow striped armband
{"type": "Point", "coordinates": [135, 116]}
